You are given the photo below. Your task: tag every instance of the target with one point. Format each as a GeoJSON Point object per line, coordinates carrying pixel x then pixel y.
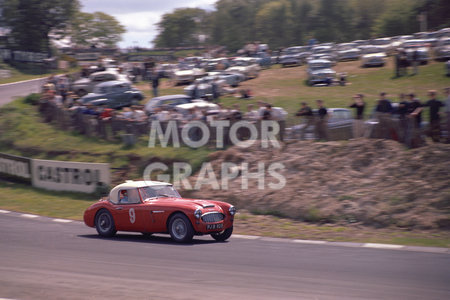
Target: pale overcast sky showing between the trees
{"type": "Point", "coordinates": [140, 16]}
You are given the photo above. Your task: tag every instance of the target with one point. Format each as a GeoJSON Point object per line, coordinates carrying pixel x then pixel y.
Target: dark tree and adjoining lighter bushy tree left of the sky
{"type": "Point", "coordinates": [33, 23]}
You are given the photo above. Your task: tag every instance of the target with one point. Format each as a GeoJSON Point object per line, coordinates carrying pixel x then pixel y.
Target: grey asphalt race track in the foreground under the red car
{"type": "Point", "coordinates": [43, 258]}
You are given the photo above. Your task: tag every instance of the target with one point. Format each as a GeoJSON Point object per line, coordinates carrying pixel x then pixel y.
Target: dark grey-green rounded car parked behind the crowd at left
{"type": "Point", "coordinates": [113, 94]}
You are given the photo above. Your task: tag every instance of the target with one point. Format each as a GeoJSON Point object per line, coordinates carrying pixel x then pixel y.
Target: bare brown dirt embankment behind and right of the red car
{"type": "Point", "coordinates": [371, 182]}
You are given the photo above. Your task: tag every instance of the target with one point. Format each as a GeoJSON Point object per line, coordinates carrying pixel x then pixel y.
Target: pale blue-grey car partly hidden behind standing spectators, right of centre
{"type": "Point", "coordinates": [340, 124]}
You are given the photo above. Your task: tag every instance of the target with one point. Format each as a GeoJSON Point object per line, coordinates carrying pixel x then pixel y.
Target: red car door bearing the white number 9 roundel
{"type": "Point", "coordinates": [132, 214]}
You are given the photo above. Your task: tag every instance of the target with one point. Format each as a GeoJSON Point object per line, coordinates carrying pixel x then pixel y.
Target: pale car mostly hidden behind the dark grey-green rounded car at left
{"type": "Point", "coordinates": [86, 85]}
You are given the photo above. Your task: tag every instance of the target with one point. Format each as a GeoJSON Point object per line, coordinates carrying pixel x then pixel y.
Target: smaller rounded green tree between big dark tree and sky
{"type": "Point", "coordinates": [99, 29]}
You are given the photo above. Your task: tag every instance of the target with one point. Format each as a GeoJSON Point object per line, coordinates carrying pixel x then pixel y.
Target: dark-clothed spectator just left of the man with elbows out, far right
{"type": "Point", "coordinates": [414, 113]}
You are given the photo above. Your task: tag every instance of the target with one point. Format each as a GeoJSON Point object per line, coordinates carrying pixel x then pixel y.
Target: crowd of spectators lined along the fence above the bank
{"type": "Point", "coordinates": [400, 120]}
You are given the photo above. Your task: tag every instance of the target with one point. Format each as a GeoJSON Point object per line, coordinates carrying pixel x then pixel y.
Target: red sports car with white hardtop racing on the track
{"type": "Point", "coordinates": [156, 207]}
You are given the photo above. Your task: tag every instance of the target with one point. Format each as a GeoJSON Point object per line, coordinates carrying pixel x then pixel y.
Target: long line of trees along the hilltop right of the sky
{"type": "Point", "coordinates": [282, 23]}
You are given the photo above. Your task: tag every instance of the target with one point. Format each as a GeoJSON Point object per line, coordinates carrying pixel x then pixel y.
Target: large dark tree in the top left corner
{"type": "Point", "coordinates": [31, 21]}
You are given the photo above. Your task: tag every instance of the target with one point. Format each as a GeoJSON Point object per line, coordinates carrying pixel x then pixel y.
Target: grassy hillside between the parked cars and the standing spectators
{"type": "Point", "coordinates": [286, 87]}
